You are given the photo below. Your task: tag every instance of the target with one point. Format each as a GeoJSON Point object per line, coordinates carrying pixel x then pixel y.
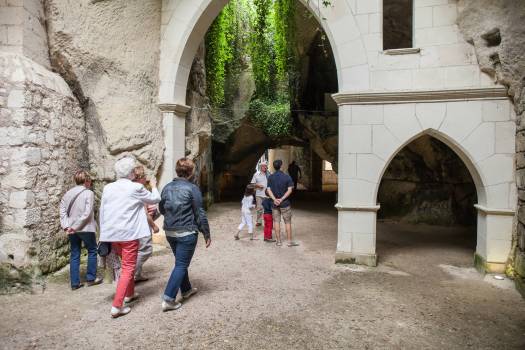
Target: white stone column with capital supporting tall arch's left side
{"type": "Point", "coordinates": [174, 127]}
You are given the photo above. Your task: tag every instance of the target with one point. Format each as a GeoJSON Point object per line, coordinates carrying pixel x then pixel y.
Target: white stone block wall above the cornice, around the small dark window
{"type": "Point", "coordinates": [445, 59]}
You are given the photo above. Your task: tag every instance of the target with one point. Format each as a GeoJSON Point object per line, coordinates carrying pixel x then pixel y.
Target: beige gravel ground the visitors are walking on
{"type": "Point", "coordinates": [253, 295]}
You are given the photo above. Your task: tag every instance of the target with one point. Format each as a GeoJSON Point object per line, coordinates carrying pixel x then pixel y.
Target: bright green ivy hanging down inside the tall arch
{"type": "Point", "coordinates": [261, 35]}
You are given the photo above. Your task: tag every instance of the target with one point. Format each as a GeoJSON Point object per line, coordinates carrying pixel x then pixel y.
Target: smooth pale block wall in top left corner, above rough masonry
{"type": "Point", "coordinates": [22, 29]}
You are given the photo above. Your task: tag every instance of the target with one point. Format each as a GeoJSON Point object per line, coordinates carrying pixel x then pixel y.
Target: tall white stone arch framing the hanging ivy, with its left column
{"type": "Point", "coordinates": [184, 24]}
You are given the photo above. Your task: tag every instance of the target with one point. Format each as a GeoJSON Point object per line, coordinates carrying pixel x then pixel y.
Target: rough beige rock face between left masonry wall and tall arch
{"type": "Point", "coordinates": [110, 60]}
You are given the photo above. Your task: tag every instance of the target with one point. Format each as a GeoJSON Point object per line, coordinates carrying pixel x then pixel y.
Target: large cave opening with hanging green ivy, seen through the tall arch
{"type": "Point", "coordinates": [250, 100]}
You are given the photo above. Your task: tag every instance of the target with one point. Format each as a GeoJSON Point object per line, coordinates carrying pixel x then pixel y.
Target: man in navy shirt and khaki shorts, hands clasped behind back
{"type": "Point", "coordinates": [280, 187]}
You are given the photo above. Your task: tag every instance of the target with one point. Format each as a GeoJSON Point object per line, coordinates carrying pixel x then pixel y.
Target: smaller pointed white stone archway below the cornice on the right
{"type": "Point", "coordinates": [377, 130]}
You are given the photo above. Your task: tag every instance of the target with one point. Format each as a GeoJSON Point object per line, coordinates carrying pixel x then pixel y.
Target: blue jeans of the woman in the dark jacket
{"type": "Point", "coordinates": [183, 249]}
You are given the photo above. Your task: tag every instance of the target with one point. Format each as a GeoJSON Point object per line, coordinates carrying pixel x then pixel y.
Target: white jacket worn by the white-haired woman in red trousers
{"type": "Point", "coordinates": [122, 214]}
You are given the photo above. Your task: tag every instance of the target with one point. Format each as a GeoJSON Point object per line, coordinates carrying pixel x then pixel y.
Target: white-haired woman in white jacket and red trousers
{"type": "Point", "coordinates": [123, 222]}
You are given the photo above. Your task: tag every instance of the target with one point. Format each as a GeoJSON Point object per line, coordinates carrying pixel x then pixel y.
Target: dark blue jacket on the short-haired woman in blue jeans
{"type": "Point", "coordinates": [181, 205]}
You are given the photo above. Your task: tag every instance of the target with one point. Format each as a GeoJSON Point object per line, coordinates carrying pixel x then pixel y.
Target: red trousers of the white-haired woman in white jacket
{"type": "Point", "coordinates": [126, 284]}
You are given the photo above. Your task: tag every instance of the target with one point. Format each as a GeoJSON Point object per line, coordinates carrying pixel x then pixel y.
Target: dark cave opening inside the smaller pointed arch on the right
{"type": "Point", "coordinates": [427, 197]}
